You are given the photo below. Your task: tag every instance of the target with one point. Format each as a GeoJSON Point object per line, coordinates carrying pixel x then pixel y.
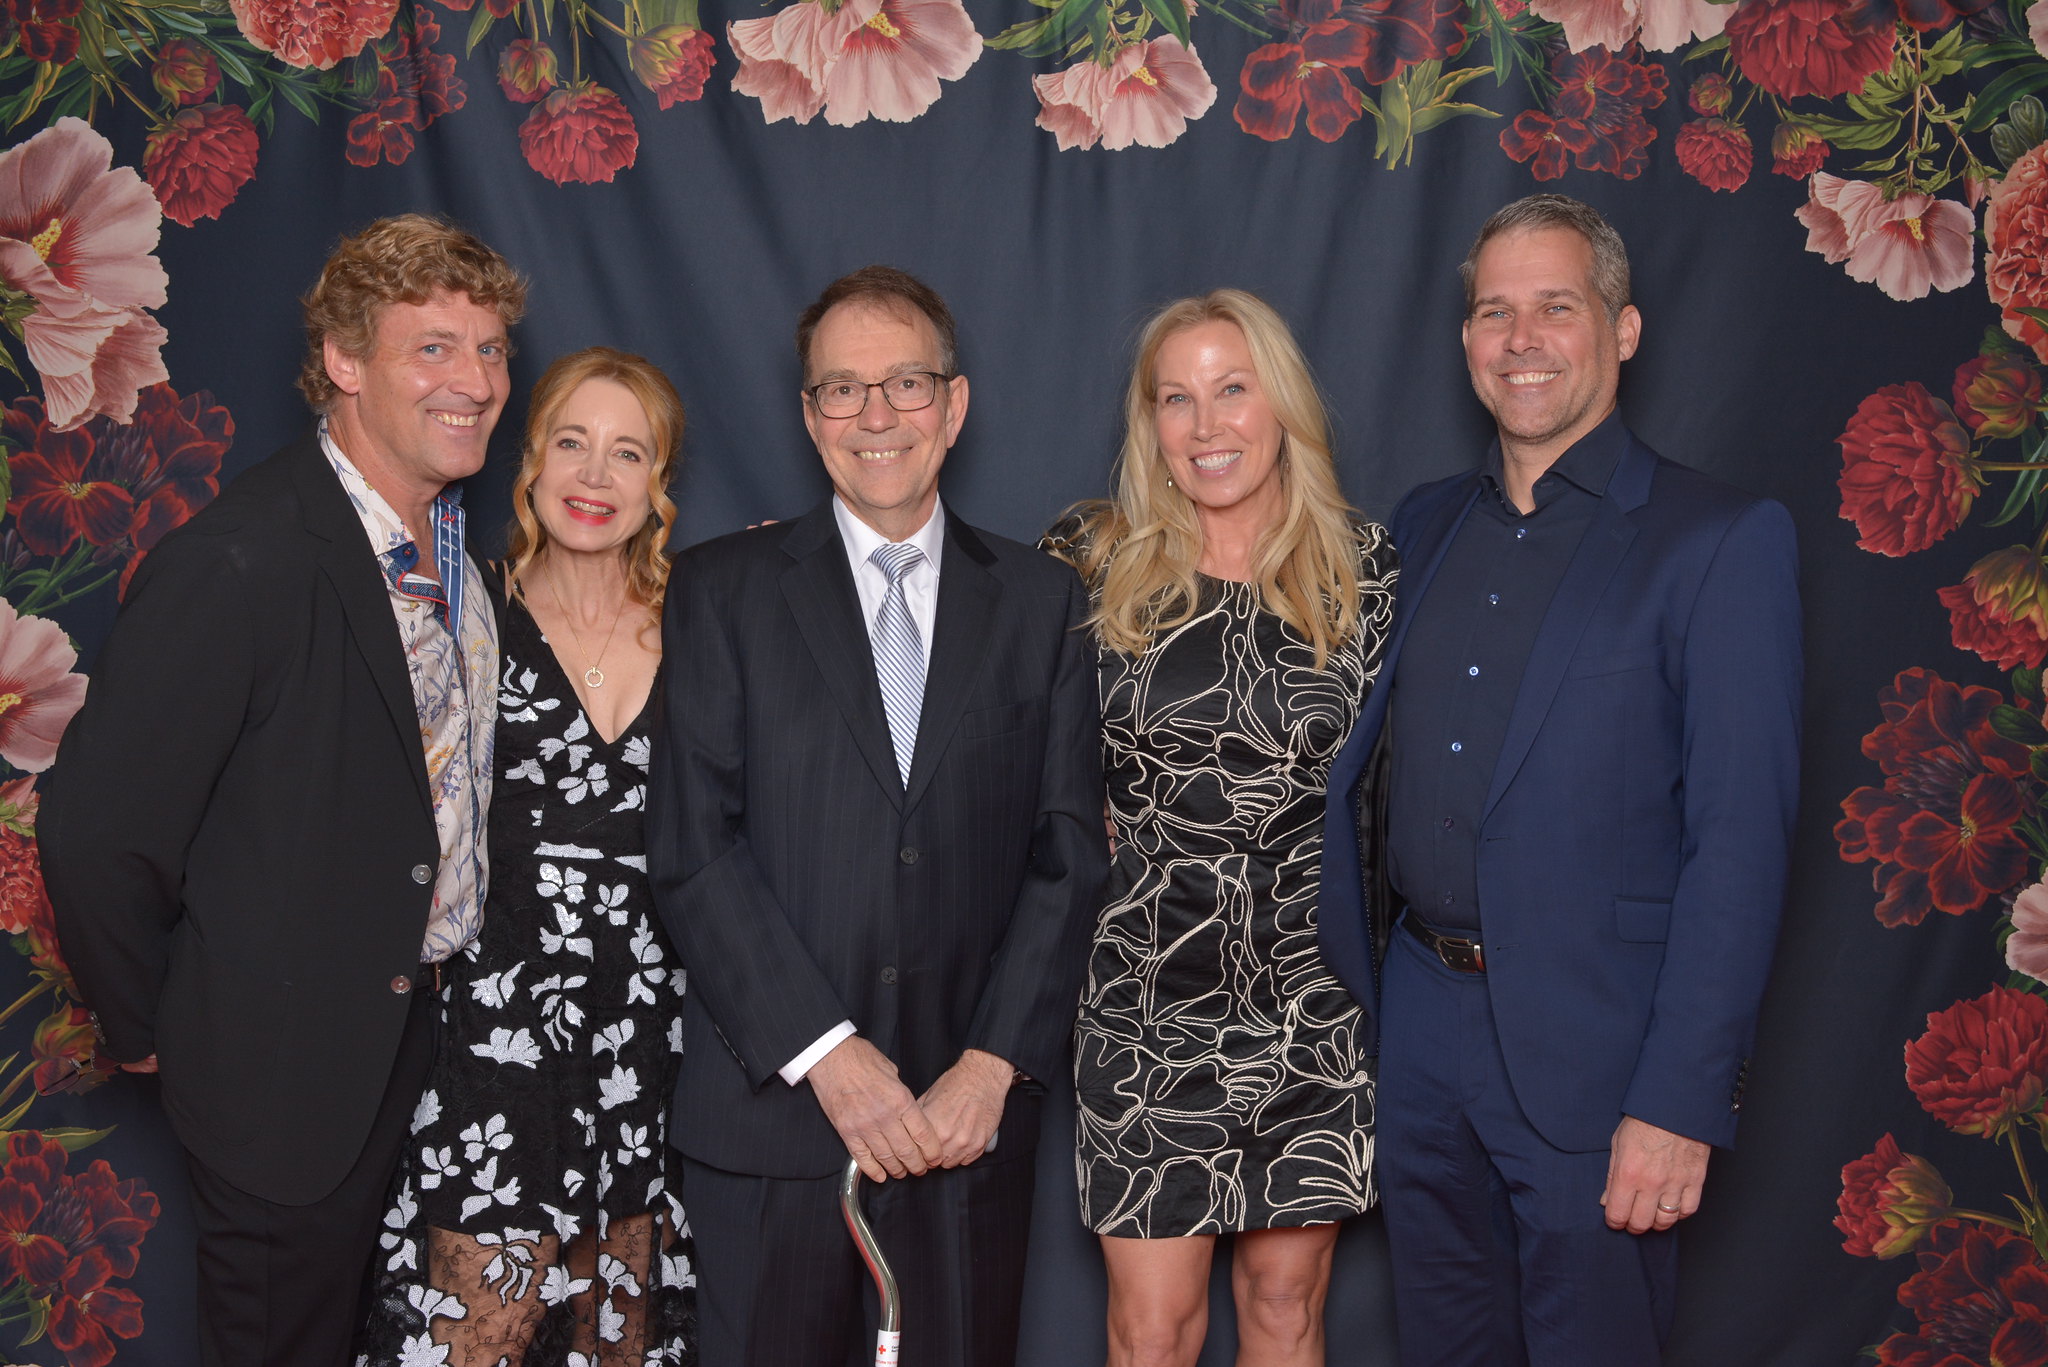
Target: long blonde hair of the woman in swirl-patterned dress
{"type": "Point", "coordinates": [1140, 548]}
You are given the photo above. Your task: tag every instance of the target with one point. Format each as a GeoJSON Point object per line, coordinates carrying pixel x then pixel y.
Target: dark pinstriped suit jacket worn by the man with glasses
{"type": "Point", "coordinates": [804, 884]}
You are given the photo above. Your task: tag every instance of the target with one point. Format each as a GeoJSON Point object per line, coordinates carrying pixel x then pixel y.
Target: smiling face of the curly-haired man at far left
{"type": "Point", "coordinates": [417, 413]}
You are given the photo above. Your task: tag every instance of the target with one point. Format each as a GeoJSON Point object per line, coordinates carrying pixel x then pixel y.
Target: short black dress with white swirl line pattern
{"type": "Point", "coordinates": [1220, 1065]}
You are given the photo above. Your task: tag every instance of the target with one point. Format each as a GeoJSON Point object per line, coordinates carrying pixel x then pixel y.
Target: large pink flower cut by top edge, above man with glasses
{"type": "Point", "coordinates": [865, 60]}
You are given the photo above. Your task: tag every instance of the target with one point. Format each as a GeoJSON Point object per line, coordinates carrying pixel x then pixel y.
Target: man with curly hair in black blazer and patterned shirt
{"type": "Point", "coordinates": [265, 831]}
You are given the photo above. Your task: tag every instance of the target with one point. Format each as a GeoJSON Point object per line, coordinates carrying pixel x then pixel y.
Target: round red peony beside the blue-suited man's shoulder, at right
{"type": "Point", "coordinates": [1908, 477]}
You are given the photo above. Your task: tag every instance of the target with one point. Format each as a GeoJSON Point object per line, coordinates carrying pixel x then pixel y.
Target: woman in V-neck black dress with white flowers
{"type": "Point", "coordinates": [536, 1218]}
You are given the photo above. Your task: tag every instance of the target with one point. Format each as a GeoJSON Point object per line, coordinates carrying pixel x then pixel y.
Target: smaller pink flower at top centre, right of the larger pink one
{"type": "Point", "coordinates": [1144, 97]}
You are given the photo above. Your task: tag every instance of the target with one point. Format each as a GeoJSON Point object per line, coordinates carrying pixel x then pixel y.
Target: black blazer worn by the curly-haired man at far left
{"type": "Point", "coordinates": [239, 835]}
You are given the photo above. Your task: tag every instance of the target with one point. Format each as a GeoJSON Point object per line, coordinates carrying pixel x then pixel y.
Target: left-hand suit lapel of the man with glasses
{"type": "Point", "coordinates": [820, 593]}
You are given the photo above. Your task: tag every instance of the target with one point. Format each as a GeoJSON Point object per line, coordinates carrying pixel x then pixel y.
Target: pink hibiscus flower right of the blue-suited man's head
{"type": "Point", "coordinates": [1906, 247]}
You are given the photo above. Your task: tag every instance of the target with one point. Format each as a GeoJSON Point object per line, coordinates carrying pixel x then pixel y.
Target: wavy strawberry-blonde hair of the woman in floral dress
{"type": "Point", "coordinates": [648, 550]}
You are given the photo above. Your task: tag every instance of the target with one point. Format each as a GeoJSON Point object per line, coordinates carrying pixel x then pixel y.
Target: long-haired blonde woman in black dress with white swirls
{"type": "Point", "coordinates": [1240, 614]}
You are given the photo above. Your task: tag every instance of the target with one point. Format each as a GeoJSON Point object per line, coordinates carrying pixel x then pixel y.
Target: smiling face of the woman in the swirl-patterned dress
{"type": "Point", "coordinates": [1218, 431]}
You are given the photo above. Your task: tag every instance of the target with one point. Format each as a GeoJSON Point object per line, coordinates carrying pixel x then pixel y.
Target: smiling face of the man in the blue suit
{"type": "Point", "coordinates": [1543, 354]}
